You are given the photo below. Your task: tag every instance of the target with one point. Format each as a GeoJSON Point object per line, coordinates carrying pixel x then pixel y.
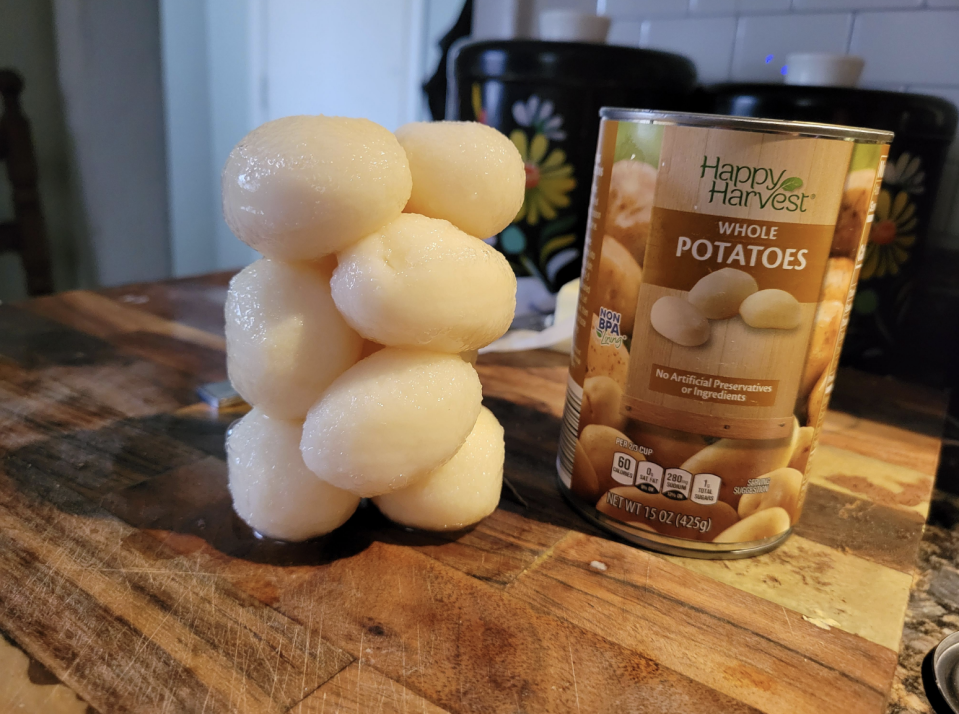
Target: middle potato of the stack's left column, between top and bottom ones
{"type": "Point", "coordinates": [285, 340]}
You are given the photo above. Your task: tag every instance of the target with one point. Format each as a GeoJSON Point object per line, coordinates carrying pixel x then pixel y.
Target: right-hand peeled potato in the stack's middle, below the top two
{"type": "Point", "coordinates": [422, 282]}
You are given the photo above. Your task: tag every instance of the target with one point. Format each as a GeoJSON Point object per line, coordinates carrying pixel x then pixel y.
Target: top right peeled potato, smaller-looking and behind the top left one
{"type": "Point", "coordinates": [464, 172]}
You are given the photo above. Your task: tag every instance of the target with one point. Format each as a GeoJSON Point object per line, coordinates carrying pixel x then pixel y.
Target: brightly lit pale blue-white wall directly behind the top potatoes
{"type": "Point", "coordinates": [229, 65]}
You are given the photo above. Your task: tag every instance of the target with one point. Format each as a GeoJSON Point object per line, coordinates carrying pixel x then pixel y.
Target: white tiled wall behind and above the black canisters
{"type": "Point", "coordinates": [908, 45]}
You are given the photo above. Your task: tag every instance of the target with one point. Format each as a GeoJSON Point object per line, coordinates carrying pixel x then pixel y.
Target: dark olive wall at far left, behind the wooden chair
{"type": "Point", "coordinates": [27, 45]}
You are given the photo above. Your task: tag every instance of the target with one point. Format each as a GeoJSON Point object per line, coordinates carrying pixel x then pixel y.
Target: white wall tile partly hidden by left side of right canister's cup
{"type": "Point", "coordinates": [762, 42]}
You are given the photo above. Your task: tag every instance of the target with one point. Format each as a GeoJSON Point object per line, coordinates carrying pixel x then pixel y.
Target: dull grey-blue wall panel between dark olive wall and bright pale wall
{"type": "Point", "coordinates": [109, 65]}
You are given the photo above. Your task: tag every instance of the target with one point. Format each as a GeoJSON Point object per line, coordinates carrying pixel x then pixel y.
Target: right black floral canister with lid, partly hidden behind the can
{"type": "Point", "coordinates": [888, 332]}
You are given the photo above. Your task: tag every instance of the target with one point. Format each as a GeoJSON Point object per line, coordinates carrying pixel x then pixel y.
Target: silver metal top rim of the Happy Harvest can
{"type": "Point", "coordinates": [769, 126]}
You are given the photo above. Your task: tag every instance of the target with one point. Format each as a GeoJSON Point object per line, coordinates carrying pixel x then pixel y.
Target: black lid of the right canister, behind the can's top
{"type": "Point", "coordinates": [915, 115]}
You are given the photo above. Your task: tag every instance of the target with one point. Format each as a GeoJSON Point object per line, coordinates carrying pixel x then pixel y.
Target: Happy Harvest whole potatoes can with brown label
{"type": "Point", "coordinates": [721, 261]}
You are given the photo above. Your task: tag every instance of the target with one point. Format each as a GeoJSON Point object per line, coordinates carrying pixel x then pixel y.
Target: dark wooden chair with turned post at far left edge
{"type": "Point", "coordinates": [26, 233]}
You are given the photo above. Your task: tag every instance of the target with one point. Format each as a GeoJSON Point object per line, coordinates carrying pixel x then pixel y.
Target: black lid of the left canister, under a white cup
{"type": "Point", "coordinates": [574, 64]}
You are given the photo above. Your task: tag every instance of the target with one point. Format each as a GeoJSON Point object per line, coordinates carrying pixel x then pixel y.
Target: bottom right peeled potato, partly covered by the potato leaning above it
{"type": "Point", "coordinates": [461, 492]}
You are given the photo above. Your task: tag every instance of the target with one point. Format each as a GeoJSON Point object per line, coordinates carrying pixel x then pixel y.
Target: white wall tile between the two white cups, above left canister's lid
{"type": "Point", "coordinates": [708, 42]}
